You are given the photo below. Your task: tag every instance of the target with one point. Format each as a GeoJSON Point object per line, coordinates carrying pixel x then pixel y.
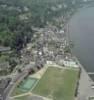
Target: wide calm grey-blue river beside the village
{"type": "Point", "coordinates": [81, 30]}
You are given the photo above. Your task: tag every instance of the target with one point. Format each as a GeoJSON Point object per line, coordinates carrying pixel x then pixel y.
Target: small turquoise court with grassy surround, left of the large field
{"type": "Point", "coordinates": [25, 86]}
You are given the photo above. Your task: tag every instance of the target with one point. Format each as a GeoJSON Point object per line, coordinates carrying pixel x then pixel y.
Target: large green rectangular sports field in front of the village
{"type": "Point", "coordinates": [58, 84]}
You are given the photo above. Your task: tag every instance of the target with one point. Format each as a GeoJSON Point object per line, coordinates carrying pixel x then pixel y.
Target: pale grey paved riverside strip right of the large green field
{"type": "Point", "coordinates": [85, 85]}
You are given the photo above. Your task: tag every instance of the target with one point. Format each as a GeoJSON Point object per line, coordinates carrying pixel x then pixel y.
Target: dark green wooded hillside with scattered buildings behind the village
{"type": "Point", "coordinates": [18, 16]}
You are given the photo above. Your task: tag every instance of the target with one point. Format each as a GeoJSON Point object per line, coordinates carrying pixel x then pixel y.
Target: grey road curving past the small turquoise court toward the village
{"type": "Point", "coordinates": [16, 78]}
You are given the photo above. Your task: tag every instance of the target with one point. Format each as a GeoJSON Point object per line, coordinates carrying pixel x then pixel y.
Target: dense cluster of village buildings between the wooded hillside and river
{"type": "Point", "coordinates": [49, 47]}
